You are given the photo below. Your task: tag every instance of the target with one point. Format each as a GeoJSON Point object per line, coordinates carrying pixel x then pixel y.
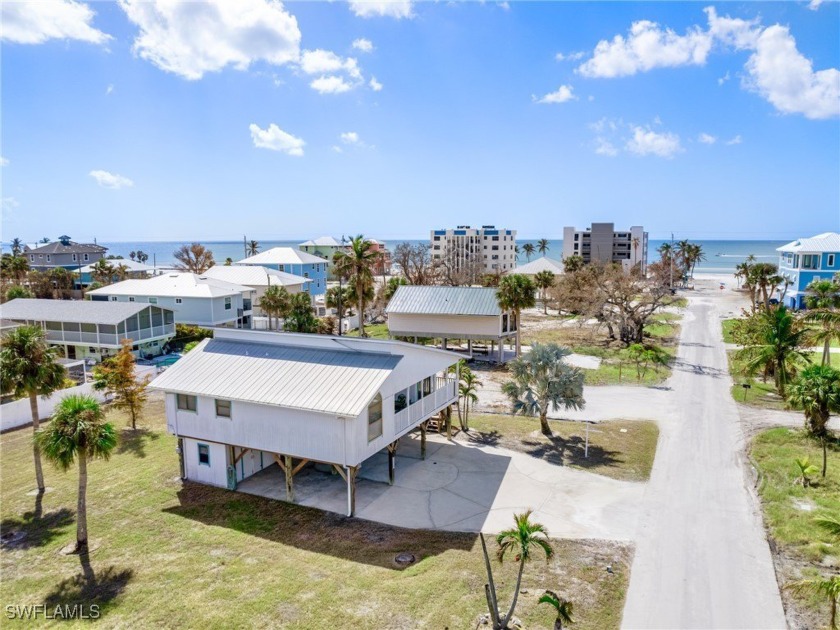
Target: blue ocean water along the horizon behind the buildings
{"type": "Point", "coordinates": [721, 256]}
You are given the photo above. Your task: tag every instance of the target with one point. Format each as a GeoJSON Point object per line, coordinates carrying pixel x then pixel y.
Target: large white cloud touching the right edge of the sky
{"type": "Point", "coordinates": [782, 75]}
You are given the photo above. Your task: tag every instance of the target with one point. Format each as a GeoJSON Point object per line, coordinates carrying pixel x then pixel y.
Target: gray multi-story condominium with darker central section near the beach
{"type": "Point", "coordinates": [603, 243]}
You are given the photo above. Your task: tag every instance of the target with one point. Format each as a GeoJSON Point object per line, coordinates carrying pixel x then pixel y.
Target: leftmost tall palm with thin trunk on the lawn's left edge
{"type": "Point", "coordinates": [30, 369]}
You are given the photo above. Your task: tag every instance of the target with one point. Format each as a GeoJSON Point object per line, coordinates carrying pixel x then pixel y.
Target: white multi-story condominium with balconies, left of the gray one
{"type": "Point", "coordinates": [477, 250]}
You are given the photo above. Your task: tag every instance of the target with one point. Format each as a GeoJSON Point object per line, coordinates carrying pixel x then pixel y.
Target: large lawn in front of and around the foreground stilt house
{"type": "Point", "coordinates": [169, 554]}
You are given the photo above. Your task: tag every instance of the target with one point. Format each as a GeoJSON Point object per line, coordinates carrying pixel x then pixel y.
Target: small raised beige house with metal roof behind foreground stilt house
{"type": "Point", "coordinates": [439, 312]}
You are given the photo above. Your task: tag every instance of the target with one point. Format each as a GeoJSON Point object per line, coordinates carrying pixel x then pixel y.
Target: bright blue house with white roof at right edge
{"type": "Point", "coordinates": [805, 260]}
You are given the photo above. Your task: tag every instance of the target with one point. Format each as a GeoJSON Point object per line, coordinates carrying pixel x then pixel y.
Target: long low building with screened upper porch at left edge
{"type": "Point", "coordinates": [94, 330]}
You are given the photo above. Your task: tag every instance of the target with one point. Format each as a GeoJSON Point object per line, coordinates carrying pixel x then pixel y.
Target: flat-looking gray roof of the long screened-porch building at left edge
{"type": "Point", "coordinates": [77, 311]}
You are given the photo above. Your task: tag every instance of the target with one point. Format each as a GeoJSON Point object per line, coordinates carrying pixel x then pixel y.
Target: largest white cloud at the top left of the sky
{"type": "Point", "coordinates": [192, 38]}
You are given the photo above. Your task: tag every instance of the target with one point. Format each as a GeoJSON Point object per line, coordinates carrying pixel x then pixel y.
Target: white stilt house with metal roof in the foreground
{"type": "Point", "coordinates": [249, 400]}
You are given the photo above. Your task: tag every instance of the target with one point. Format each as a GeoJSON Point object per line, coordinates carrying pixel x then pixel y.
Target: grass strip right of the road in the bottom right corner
{"type": "Point", "coordinates": [789, 511]}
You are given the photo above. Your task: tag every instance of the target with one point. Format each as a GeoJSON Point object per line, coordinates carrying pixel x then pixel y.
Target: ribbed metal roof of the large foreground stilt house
{"type": "Point", "coordinates": [327, 381]}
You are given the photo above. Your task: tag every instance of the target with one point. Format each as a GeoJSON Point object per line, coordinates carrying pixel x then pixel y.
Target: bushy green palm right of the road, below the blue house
{"type": "Point", "coordinates": [777, 346]}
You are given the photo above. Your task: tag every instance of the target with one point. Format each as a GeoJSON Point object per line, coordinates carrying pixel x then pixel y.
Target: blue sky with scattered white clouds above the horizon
{"type": "Point", "coordinates": [139, 121]}
